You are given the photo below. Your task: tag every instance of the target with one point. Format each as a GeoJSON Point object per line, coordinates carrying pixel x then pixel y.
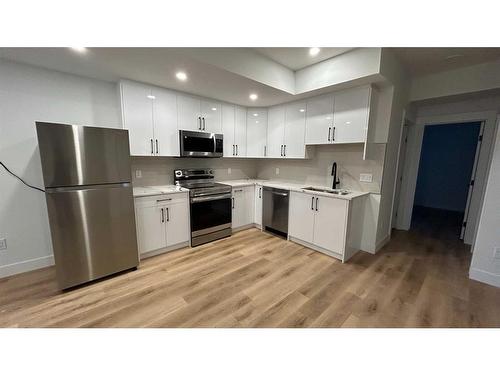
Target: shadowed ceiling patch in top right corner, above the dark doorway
{"type": "Point", "coordinates": [421, 61]}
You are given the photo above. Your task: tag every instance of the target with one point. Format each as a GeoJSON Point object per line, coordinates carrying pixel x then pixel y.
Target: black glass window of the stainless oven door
{"type": "Point", "coordinates": [209, 214]}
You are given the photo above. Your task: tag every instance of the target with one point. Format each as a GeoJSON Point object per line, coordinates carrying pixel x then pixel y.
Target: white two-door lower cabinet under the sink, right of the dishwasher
{"type": "Point", "coordinates": [320, 221]}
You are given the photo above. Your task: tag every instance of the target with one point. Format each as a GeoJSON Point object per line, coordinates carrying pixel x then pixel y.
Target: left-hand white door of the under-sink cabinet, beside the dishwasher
{"type": "Point", "coordinates": [301, 216]}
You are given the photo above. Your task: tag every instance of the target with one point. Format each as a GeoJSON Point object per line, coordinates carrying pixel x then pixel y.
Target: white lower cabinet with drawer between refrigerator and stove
{"type": "Point", "coordinates": [162, 222]}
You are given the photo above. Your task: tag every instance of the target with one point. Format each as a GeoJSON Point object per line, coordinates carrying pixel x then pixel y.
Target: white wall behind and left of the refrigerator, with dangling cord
{"type": "Point", "coordinates": [29, 94]}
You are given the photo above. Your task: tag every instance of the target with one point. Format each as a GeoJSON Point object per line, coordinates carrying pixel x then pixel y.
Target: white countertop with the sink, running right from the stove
{"type": "Point", "coordinates": [293, 186]}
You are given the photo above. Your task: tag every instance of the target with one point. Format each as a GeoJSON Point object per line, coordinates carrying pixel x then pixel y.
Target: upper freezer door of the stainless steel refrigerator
{"type": "Point", "coordinates": [82, 155]}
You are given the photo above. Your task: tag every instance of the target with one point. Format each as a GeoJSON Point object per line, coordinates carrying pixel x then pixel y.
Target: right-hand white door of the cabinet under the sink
{"type": "Point", "coordinates": [330, 223]}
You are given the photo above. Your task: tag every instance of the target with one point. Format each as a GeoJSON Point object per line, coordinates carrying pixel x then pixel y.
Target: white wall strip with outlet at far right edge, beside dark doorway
{"type": "Point", "coordinates": [484, 266]}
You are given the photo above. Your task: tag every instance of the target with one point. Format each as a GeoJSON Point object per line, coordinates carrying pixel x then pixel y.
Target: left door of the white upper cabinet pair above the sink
{"type": "Point", "coordinates": [319, 120]}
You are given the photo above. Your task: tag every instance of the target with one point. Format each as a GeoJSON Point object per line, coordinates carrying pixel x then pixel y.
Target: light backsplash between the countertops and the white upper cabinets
{"type": "Point", "coordinates": [313, 171]}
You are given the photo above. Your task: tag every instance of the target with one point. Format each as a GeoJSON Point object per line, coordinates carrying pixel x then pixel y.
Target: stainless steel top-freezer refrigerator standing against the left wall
{"type": "Point", "coordinates": [87, 178]}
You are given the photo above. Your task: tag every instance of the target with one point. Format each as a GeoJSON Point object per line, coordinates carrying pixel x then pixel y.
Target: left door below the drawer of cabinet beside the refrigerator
{"type": "Point", "coordinates": [151, 233]}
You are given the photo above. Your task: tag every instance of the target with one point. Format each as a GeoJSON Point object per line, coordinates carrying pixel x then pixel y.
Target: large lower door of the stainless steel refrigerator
{"type": "Point", "coordinates": [93, 232]}
